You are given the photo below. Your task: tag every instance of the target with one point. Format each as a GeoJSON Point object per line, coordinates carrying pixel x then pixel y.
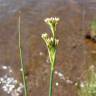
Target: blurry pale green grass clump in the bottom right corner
{"type": "Point", "coordinates": [88, 87]}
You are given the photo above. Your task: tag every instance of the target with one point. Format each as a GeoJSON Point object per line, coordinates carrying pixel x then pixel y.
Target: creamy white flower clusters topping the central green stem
{"type": "Point", "coordinates": [52, 41]}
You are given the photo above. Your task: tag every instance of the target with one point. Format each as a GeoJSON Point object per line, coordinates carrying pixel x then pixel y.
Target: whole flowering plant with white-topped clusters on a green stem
{"type": "Point", "coordinates": [51, 43]}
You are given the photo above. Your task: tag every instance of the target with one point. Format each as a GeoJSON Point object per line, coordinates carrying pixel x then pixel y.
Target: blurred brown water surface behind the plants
{"type": "Point", "coordinates": [75, 53]}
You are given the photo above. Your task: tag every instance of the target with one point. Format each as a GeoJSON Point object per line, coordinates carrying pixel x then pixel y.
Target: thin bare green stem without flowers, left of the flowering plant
{"type": "Point", "coordinates": [21, 60]}
